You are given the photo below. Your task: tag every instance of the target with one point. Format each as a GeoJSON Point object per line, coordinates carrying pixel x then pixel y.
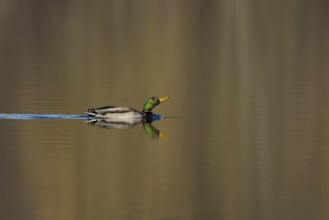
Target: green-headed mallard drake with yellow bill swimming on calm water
{"type": "Point", "coordinates": [118, 114]}
